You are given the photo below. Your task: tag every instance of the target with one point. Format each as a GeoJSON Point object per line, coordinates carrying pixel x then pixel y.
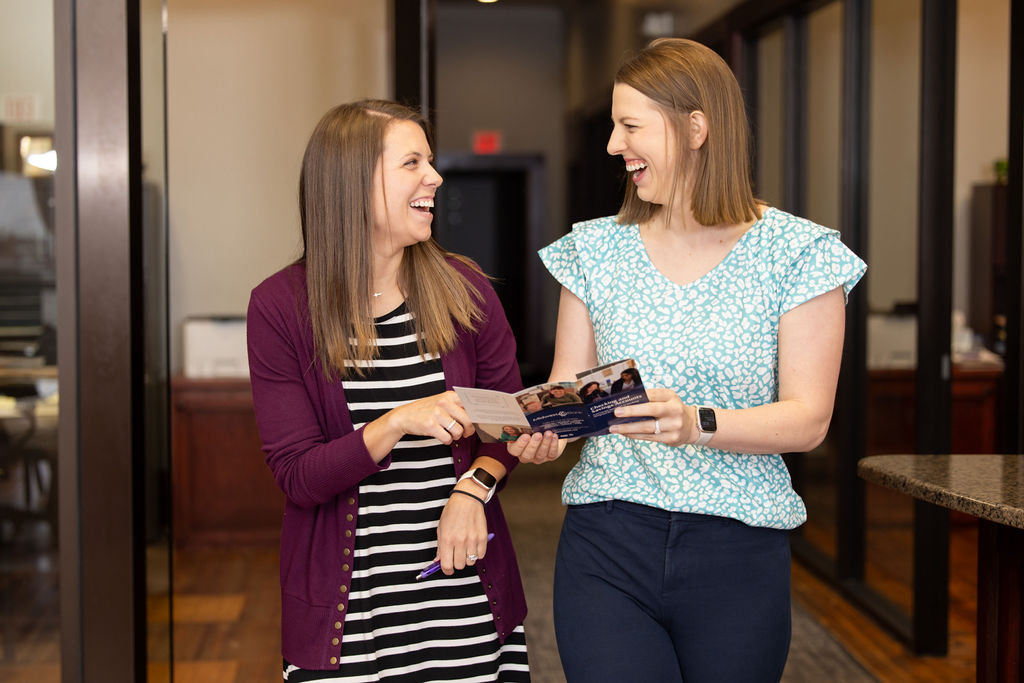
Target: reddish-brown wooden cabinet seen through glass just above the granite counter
{"type": "Point", "coordinates": [891, 409]}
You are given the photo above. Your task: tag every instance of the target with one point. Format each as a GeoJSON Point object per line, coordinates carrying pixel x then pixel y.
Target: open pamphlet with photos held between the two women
{"type": "Point", "coordinates": [584, 408]}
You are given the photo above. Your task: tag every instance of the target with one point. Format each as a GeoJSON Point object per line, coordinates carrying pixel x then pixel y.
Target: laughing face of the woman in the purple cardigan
{"type": "Point", "coordinates": [405, 185]}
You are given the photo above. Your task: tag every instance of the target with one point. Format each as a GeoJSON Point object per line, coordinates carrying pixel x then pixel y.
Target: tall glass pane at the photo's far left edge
{"type": "Point", "coordinates": [30, 625]}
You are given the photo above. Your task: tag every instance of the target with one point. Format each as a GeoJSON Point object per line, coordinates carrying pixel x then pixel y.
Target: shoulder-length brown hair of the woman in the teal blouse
{"type": "Point", "coordinates": [682, 76]}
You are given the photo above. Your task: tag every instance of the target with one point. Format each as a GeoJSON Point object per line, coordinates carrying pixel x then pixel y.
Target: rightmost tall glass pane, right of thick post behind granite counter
{"type": "Point", "coordinates": [980, 268]}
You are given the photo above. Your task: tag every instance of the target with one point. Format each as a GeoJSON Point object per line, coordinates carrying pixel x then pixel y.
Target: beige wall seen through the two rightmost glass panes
{"type": "Point", "coordinates": [983, 102]}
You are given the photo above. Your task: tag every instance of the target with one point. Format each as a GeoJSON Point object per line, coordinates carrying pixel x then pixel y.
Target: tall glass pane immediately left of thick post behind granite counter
{"type": "Point", "coordinates": [895, 113]}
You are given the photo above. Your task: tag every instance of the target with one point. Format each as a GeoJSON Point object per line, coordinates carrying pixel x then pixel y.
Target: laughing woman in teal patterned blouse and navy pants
{"type": "Point", "coordinates": [674, 560]}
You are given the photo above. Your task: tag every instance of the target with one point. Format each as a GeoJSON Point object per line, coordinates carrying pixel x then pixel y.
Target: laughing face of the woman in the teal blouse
{"type": "Point", "coordinates": [646, 142]}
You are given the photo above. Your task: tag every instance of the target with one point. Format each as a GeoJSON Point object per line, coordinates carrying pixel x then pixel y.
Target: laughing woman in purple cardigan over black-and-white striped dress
{"type": "Point", "coordinates": [354, 352]}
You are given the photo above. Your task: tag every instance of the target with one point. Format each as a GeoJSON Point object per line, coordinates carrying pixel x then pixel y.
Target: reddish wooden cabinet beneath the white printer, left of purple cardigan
{"type": "Point", "coordinates": [223, 490]}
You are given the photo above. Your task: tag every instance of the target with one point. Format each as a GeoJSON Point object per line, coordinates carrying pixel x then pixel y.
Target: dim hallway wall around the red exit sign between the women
{"type": "Point", "coordinates": [488, 78]}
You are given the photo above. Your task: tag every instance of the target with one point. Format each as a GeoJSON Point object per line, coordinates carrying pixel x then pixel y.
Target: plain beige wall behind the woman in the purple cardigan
{"type": "Point", "coordinates": [247, 80]}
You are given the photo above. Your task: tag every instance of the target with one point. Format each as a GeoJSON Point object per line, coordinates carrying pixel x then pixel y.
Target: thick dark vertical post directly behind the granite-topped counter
{"type": "Point", "coordinates": [933, 396]}
